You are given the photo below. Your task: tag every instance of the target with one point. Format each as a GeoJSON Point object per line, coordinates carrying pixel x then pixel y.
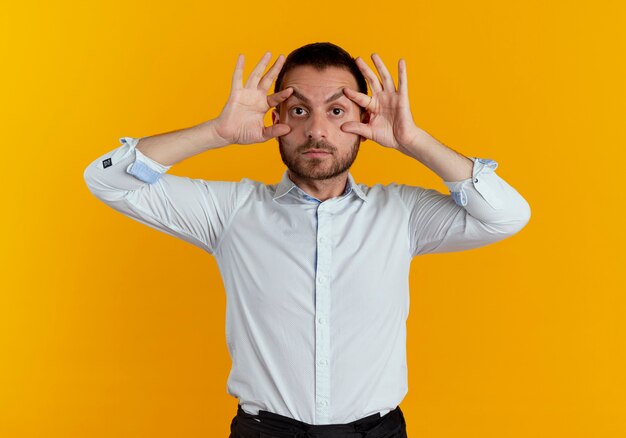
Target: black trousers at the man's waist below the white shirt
{"type": "Point", "coordinates": [270, 425]}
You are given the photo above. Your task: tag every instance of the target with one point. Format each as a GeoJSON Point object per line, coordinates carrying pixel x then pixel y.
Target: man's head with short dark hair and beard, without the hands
{"type": "Point", "coordinates": [316, 110]}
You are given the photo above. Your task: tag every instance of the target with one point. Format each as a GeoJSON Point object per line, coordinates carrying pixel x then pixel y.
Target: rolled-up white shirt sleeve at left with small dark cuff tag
{"type": "Point", "coordinates": [194, 210]}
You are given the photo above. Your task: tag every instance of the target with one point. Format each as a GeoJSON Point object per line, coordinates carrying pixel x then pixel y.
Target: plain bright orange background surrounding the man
{"type": "Point", "coordinates": [109, 328]}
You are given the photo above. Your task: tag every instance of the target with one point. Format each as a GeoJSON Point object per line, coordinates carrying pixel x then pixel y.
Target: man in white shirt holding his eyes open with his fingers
{"type": "Point", "coordinates": [315, 267]}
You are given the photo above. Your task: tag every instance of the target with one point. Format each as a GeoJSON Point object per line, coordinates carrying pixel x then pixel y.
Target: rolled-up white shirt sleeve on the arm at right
{"type": "Point", "coordinates": [479, 210]}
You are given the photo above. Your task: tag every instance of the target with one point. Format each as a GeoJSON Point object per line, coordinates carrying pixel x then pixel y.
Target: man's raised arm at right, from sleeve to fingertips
{"type": "Point", "coordinates": [482, 207]}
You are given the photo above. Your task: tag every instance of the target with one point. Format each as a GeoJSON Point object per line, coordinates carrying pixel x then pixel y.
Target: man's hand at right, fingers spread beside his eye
{"type": "Point", "coordinates": [389, 119]}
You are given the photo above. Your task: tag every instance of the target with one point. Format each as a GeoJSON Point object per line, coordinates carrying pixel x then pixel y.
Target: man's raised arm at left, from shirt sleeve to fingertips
{"type": "Point", "coordinates": [132, 178]}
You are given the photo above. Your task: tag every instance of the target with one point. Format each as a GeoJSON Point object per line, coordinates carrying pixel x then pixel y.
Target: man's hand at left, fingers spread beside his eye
{"type": "Point", "coordinates": [242, 118]}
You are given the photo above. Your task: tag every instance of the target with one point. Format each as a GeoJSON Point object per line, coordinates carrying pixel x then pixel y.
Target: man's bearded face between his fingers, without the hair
{"type": "Point", "coordinates": [315, 112]}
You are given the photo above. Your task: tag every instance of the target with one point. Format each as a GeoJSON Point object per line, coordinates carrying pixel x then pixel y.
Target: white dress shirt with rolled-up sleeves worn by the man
{"type": "Point", "coordinates": [317, 292]}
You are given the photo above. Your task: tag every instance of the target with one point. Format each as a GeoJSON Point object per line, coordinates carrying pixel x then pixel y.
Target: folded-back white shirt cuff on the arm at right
{"type": "Point", "coordinates": [482, 176]}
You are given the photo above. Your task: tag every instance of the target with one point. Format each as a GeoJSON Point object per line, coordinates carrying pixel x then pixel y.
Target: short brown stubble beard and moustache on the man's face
{"type": "Point", "coordinates": [310, 168]}
